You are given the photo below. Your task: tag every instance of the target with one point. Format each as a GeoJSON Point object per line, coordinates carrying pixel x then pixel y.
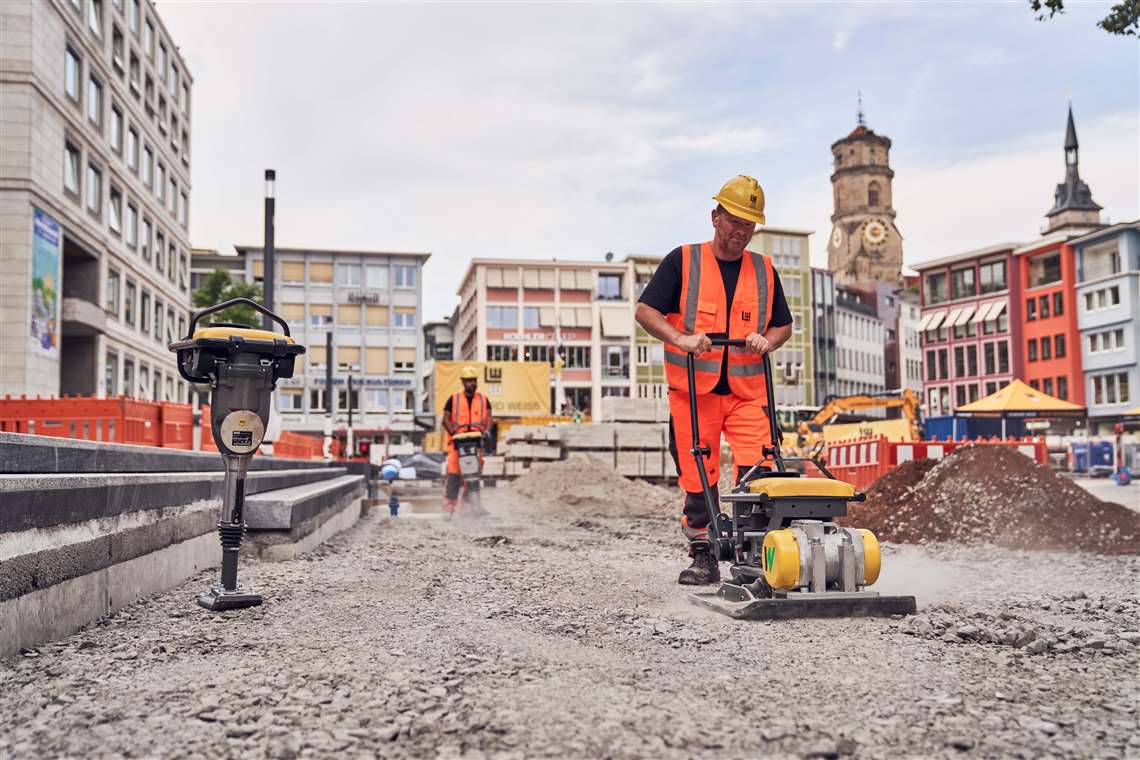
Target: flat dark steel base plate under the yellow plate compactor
{"type": "Point", "coordinates": [866, 604]}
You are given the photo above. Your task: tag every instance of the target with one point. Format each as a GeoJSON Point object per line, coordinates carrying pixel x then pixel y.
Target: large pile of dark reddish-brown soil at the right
{"type": "Point", "coordinates": [994, 495]}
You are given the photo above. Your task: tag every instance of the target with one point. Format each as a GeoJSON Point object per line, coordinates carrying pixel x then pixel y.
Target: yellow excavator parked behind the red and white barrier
{"type": "Point", "coordinates": [811, 434]}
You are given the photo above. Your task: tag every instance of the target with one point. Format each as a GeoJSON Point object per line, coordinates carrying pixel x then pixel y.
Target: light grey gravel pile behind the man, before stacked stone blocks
{"type": "Point", "coordinates": [584, 485]}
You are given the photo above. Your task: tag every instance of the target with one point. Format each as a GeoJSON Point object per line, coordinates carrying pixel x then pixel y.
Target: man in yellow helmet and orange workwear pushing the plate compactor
{"type": "Point", "coordinates": [718, 289]}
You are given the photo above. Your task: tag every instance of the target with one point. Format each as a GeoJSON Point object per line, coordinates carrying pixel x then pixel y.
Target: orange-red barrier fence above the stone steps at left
{"type": "Point", "coordinates": [137, 422]}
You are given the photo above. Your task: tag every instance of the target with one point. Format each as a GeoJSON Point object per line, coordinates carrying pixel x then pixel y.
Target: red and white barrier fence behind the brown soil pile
{"type": "Point", "coordinates": [865, 461]}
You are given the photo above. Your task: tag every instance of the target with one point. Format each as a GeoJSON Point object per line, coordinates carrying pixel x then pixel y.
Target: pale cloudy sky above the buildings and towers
{"type": "Point", "coordinates": [572, 130]}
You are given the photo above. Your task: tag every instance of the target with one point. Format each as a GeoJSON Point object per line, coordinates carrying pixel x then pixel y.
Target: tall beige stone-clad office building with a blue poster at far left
{"type": "Point", "coordinates": [95, 187]}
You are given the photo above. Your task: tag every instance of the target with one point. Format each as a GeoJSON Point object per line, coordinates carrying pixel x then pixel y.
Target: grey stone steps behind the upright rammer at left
{"type": "Point", "coordinates": [88, 528]}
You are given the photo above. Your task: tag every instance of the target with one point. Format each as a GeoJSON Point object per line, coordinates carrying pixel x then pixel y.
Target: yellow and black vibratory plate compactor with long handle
{"type": "Point", "coordinates": [791, 560]}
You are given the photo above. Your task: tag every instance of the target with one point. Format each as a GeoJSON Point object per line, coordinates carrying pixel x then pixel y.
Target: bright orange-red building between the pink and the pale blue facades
{"type": "Point", "coordinates": [1047, 272]}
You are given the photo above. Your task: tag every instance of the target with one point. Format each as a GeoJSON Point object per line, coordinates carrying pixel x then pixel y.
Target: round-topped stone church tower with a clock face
{"type": "Point", "coordinates": [865, 243]}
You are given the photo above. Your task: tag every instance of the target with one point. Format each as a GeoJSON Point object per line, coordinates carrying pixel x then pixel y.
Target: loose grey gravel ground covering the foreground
{"type": "Point", "coordinates": [538, 636]}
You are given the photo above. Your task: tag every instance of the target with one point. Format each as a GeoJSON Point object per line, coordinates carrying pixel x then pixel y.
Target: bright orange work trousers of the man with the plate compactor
{"type": "Point", "coordinates": [744, 423]}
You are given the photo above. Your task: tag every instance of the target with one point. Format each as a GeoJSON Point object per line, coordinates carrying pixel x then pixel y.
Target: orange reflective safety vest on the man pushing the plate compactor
{"type": "Point", "coordinates": [704, 305]}
